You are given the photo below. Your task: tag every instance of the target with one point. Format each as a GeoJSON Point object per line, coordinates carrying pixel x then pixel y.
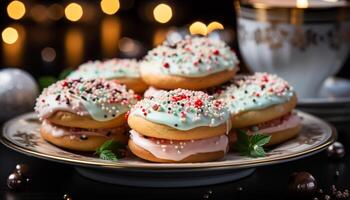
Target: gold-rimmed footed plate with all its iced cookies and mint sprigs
{"type": "Point", "coordinates": [199, 123]}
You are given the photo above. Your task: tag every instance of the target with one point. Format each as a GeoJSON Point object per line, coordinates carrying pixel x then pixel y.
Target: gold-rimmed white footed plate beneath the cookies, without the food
{"type": "Point", "coordinates": [22, 134]}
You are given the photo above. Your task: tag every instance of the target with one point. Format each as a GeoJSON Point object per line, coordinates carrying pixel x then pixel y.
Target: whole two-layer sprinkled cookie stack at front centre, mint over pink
{"type": "Point", "coordinates": [179, 126]}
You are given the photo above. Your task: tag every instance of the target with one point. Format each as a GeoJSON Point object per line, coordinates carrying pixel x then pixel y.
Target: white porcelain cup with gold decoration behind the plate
{"type": "Point", "coordinates": [302, 45]}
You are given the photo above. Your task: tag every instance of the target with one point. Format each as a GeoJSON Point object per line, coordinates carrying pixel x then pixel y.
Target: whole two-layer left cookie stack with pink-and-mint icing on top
{"type": "Point", "coordinates": [82, 114]}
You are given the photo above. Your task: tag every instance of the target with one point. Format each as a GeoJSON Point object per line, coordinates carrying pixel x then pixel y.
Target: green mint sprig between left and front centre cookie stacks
{"type": "Point", "coordinates": [110, 150]}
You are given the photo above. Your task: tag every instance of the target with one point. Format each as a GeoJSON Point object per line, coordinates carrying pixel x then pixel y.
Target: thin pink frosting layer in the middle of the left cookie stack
{"type": "Point", "coordinates": [59, 131]}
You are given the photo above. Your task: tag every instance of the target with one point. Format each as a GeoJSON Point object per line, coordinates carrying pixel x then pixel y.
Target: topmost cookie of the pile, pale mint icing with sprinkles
{"type": "Point", "coordinates": [192, 63]}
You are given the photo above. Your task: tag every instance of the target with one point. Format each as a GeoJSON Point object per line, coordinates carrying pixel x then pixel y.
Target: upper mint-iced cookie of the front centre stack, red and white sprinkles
{"type": "Point", "coordinates": [180, 111]}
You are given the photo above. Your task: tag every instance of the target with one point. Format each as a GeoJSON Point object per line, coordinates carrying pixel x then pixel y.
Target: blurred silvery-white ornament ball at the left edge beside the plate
{"type": "Point", "coordinates": [18, 91]}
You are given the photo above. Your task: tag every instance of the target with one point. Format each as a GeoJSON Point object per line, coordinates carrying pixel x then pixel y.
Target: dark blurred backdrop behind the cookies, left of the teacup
{"type": "Point", "coordinates": [78, 42]}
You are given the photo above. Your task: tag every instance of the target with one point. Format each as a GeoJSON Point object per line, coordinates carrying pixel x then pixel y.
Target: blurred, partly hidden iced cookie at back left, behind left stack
{"type": "Point", "coordinates": [124, 71]}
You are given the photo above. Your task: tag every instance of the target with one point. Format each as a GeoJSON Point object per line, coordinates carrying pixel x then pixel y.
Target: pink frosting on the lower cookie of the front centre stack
{"type": "Point", "coordinates": [179, 150]}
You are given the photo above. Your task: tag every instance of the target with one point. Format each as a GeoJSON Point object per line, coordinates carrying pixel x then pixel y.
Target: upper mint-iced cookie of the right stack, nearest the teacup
{"type": "Point", "coordinates": [257, 98]}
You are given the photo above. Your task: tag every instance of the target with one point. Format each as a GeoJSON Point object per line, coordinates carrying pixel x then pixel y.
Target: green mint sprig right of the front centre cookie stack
{"type": "Point", "coordinates": [251, 146]}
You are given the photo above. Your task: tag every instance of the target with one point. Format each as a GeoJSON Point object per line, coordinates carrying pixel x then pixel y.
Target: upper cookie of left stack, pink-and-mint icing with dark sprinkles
{"type": "Point", "coordinates": [98, 101]}
